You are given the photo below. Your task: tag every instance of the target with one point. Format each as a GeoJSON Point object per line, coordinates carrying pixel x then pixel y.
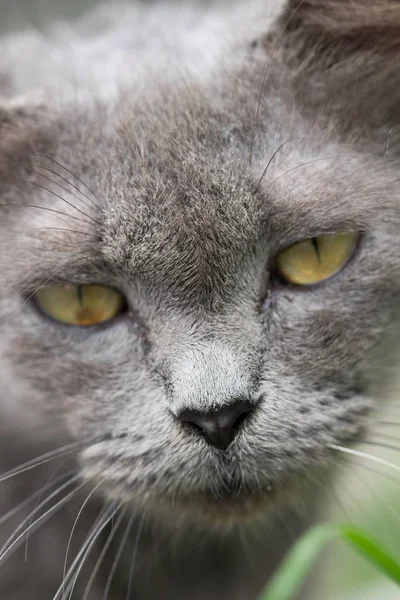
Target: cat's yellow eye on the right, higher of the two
{"type": "Point", "coordinates": [315, 259]}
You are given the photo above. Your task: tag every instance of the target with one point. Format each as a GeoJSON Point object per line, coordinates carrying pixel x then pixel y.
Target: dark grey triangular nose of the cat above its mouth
{"type": "Point", "coordinates": [218, 427]}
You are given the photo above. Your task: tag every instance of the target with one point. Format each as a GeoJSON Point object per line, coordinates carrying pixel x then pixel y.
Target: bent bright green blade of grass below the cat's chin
{"type": "Point", "coordinates": [288, 580]}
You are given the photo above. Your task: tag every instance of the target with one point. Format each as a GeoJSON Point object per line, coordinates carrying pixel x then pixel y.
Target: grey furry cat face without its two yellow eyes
{"type": "Point", "coordinates": [168, 201]}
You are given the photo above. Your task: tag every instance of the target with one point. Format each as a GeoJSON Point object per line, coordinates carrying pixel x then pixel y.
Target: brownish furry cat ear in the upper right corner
{"type": "Point", "coordinates": [344, 56]}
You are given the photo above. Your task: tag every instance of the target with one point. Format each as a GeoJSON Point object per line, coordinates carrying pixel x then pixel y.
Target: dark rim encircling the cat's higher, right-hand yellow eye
{"type": "Point", "coordinates": [278, 281]}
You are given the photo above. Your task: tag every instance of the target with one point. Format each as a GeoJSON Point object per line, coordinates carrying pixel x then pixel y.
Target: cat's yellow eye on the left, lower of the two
{"type": "Point", "coordinates": [82, 305]}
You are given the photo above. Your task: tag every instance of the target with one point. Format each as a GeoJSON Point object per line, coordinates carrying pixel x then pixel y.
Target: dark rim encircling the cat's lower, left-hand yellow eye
{"type": "Point", "coordinates": [122, 314]}
